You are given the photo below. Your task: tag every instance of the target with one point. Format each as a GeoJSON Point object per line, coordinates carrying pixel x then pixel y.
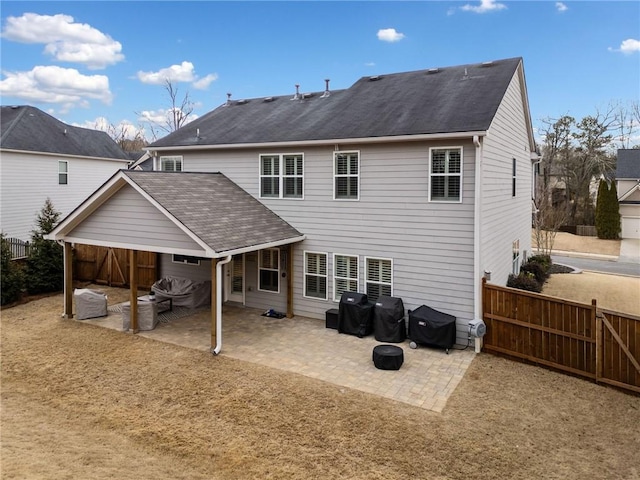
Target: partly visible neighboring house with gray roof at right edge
{"type": "Point", "coordinates": [628, 187]}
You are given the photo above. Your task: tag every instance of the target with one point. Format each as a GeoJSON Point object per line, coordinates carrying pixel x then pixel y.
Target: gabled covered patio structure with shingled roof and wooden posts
{"type": "Point", "coordinates": [204, 215]}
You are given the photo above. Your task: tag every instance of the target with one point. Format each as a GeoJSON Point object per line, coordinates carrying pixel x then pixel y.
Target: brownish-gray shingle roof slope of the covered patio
{"type": "Point", "coordinates": [214, 208]}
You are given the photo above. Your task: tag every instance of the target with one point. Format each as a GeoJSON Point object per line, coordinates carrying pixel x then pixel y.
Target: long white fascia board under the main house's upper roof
{"type": "Point", "coordinates": [336, 141]}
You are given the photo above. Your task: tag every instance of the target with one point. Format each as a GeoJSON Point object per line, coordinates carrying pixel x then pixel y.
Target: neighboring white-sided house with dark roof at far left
{"type": "Point", "coordinates": [43, 157]}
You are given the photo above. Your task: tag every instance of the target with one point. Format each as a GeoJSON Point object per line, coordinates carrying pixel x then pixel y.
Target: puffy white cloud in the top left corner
{"type": "Point", "coordinates": [64, 39]}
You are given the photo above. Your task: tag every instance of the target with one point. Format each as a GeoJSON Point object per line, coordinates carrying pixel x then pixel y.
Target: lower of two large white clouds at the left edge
{"type": "Point", "coordinates": [53, 84]}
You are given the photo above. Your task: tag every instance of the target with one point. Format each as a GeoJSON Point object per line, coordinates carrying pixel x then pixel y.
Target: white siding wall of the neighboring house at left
{"type": "Point", "coordinates": [28, 179]}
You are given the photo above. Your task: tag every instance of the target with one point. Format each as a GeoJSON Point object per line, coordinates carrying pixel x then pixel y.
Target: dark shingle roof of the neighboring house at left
{"type": "Point", "coordinates": [29, 129]}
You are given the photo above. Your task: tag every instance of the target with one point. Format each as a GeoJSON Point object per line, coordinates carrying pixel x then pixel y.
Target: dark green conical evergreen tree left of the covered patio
{"type": "Point", "coordinates": [45, 264]}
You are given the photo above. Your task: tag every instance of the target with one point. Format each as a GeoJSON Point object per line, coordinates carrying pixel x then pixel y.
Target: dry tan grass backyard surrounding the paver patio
{"type": "Point", "coordinates": [84, 402]}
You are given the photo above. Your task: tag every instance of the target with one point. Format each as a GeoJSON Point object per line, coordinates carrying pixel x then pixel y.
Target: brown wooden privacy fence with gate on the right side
{"type": "Point", "coordinates": [576, 338]}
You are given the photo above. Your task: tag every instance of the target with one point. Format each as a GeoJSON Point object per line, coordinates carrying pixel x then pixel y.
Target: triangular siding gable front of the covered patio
{"type": "Point", "coordinates": [128, 218]}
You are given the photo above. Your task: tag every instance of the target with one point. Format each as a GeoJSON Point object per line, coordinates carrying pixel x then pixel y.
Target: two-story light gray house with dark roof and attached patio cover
{"type": "Point", "coordinates": [414, 185]}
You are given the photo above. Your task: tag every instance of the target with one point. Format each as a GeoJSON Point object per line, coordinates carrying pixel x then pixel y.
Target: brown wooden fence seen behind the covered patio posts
{"type": "Point", "coordinates": [110, 266]}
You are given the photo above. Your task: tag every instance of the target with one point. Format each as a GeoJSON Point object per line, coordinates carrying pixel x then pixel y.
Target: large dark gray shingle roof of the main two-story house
{"type": "Point", "coordinates": [452, 99]}
